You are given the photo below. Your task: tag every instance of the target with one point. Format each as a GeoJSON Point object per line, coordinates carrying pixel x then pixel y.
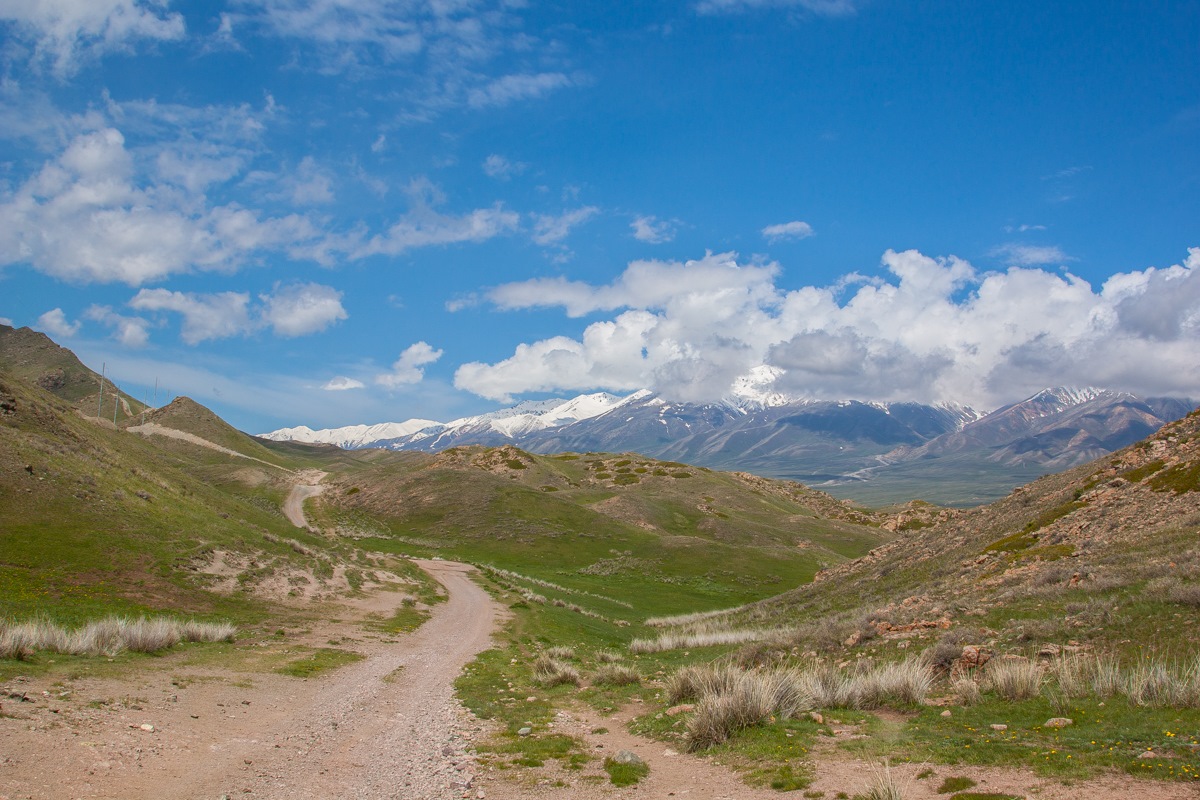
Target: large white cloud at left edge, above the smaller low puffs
{"type": "Point", "coordinates": [85, 218]}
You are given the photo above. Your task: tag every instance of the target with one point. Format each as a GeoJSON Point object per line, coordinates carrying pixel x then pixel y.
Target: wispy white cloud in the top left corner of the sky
{"type": "Point", "coordinates": [65, 33]}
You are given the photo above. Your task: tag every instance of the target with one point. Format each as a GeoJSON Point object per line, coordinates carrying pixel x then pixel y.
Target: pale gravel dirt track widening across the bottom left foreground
{"type": "Point", "coordinates": [385, 727]}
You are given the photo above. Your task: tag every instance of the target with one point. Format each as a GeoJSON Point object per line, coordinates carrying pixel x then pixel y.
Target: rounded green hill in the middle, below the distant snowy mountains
{"type": "Point", "coordinates": [664, 537]}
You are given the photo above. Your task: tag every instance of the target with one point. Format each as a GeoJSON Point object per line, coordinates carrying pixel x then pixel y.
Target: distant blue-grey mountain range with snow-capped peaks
{"type": "Point", "coordinates": [871, 453]}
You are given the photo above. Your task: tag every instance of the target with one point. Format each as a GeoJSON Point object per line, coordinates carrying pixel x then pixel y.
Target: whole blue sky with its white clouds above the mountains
{"type": "Point", "coordinates": [340, 212]}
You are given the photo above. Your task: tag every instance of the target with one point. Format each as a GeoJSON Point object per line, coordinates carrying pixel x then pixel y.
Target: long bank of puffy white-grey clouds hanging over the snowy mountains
{"type": "Point", "coordinates": [928, 330]}
